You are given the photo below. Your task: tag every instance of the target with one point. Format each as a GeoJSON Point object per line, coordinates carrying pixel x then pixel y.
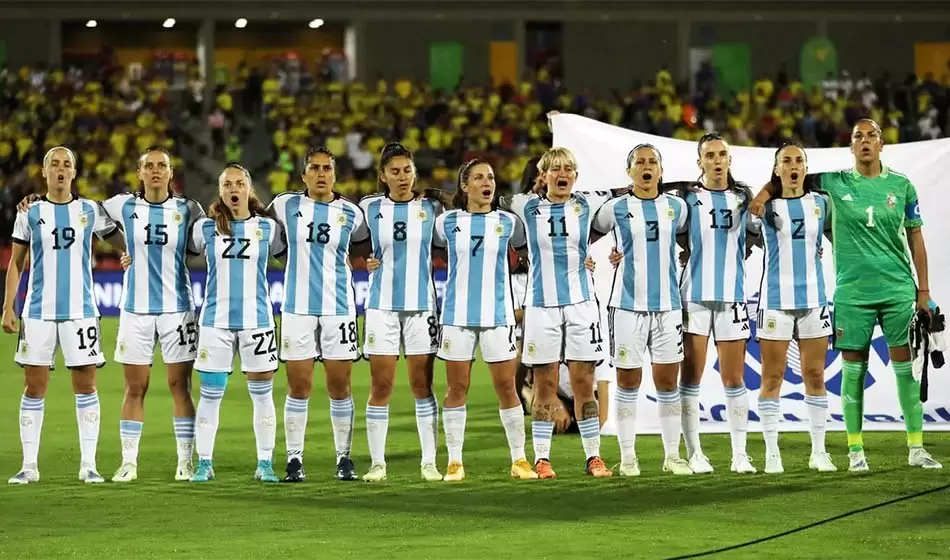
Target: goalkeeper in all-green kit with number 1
{"type": "Point", "coordinates": [876, 218]}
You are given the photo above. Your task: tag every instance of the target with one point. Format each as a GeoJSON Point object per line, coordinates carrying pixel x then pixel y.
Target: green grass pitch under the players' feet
{"type": "Point", "coordinates": [486, 516]}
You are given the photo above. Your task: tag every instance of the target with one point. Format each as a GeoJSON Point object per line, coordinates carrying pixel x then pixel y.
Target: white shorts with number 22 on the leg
{"type": "Point", "coordinates": [216, 349]}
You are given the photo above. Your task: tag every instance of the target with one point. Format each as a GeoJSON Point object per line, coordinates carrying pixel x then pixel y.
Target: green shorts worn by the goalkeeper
{"type": "Point", "coordinates": [854, 324]}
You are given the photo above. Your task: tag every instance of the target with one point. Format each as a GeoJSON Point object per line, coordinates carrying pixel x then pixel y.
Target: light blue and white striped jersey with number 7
{"type": "Point", "coordinates": [478, 284]}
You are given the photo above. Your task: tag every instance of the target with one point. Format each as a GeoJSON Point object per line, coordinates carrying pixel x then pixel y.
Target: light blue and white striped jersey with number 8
{"type": "Point", "coordinates": [401, 233]}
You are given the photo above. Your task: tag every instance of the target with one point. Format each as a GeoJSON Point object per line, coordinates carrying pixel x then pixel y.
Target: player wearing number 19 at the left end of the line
{"type": "Point", "coordinates": [60, 308]}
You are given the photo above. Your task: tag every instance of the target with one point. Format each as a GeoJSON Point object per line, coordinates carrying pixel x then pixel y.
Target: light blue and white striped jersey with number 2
{"type": "Point", "coordinates": [792, 274]}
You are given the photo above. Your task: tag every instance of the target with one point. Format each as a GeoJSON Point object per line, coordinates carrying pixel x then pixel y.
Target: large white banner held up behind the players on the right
{"type": "Point", "coordinates": [601, 151]}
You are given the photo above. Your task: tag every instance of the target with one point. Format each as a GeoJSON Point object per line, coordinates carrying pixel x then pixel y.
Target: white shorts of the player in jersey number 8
{"type": "Point", "coordinates": [417, 332]}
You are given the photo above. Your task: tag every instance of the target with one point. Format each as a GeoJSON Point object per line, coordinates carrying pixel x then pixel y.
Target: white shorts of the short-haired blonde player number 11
{"type": "Point", "coordinates": [553, 334]}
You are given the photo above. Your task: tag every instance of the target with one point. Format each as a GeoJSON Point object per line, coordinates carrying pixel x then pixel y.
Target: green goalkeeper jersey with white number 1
{"type": "Point", "coordinates": [869, 222]}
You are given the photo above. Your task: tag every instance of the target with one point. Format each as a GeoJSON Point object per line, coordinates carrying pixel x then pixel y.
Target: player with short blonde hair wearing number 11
{"type": "Point", "coordinates": [562, 319]}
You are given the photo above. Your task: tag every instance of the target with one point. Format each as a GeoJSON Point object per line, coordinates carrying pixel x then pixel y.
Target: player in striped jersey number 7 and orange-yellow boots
{"type": "Point", "coordinates": [478, 310]}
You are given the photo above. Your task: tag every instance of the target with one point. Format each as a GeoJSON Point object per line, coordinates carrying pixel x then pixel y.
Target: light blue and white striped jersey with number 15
{"type": "Point", "coordinates": [156, 236]}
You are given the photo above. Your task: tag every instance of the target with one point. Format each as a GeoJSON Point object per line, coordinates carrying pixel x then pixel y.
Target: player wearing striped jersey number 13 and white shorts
{"type": "Point", "coordinates": [713, 289]}
